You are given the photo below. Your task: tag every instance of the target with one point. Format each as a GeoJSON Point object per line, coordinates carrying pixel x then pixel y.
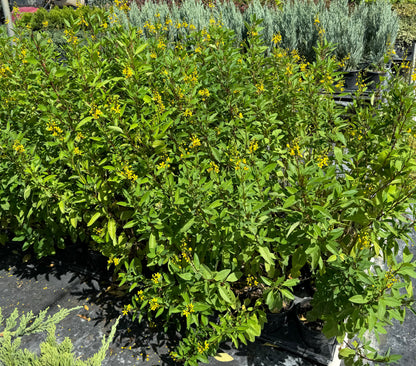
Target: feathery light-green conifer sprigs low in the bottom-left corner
{"type": "Point", "coordinates": [51, 352]}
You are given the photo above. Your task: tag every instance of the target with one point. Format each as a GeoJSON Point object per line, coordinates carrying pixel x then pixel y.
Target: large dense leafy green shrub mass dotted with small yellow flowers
{"type": "Point", "coordinates": [214, 178]}
